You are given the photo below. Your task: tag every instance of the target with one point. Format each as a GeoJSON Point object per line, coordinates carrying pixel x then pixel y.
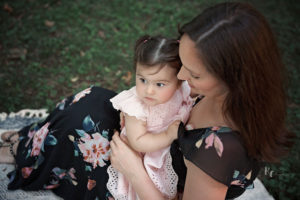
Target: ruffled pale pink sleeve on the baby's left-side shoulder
{"type": "Point", "coordinates": [128, 102]}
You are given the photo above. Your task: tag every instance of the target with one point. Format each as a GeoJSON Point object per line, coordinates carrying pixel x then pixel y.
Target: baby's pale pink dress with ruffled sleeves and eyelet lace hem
{"type": "Point", "coordinates": [157, 164]}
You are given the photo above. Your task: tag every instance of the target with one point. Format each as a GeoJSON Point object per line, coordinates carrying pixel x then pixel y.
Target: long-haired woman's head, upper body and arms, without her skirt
{"type": "Point", "coordinates": [230, 59]}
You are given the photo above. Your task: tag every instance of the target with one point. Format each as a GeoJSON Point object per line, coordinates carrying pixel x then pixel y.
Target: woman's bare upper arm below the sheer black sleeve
{"type": "Point", "coordinates": [199, 185]}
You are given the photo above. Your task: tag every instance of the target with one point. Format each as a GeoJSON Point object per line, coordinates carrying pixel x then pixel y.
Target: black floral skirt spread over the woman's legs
{"type": "Point", "coordinates": [68, 152]}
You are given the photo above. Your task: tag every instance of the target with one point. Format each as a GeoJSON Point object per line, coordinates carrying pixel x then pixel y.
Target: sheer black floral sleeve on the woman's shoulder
{"type": "Point", "coordinates": [220, 153]}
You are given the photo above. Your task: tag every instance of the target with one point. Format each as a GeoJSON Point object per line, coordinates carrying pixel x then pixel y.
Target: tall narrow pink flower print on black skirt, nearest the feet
{"type": "Point", "coordinates": [38, 139]}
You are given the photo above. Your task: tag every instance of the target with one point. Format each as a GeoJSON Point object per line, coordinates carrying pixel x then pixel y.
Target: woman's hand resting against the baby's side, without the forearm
{"type": "Point", "coordinates": [123, 158]}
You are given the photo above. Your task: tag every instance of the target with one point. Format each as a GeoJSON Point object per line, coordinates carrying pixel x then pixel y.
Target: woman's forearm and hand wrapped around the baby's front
{"type": "Point", "coordinates": [129, 163]}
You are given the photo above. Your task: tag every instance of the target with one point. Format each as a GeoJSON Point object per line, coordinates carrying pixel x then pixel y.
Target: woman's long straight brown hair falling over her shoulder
{"type": "Point", "coordinates": [237, 45]}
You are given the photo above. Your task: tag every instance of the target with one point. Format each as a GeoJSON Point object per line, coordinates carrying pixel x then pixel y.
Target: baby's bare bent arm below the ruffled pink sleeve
{"type": "Point", "coordinates": [142, 141]}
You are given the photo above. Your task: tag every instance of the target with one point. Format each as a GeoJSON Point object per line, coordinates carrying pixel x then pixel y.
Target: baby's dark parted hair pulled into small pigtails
{"type": "Point", "coordinates": [157, 50]}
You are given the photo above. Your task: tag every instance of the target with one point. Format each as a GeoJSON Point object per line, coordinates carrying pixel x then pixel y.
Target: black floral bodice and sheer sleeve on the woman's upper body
{"type": "Point", "coordinates": [220, 153]}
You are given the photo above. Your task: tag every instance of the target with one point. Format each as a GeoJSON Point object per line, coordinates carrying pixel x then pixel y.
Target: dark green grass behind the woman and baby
{"type": "Point", "coordinates": [91, 42]}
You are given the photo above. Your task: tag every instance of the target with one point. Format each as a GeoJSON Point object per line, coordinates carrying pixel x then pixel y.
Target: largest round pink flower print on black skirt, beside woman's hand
{"type": "Point", "coordinates": [95, 150]}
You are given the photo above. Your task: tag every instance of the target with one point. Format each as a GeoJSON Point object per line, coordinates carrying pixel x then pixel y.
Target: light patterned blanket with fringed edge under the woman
{"type": "Point", "coordinates": [15, 121]}
